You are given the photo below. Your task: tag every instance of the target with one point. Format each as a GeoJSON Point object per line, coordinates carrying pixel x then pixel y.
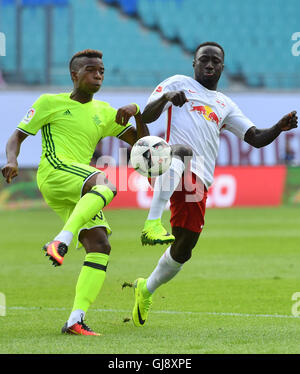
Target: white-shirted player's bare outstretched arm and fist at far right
{"type": "Point", "coordinates": [261, 137]}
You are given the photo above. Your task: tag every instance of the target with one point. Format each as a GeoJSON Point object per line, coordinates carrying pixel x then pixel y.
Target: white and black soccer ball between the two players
{"type": "Point", "coordinates": [151, 156]}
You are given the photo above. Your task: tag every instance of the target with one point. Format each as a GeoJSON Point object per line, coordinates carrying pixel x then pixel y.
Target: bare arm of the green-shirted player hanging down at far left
{"type": "Point", "coordinates": [10, 170]}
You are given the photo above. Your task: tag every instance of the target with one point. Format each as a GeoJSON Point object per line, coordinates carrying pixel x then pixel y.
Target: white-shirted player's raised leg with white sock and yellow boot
{"type": "Point", "coordinates": [154, 232]}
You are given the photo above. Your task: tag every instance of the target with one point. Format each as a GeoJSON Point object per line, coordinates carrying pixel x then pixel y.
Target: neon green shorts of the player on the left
{"type": "Point", "coordinates": [63, 188]}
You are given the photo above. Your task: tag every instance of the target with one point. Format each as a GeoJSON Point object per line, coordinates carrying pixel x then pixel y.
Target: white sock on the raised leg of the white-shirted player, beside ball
{"type": "Point", "coordinates": [164, 187]}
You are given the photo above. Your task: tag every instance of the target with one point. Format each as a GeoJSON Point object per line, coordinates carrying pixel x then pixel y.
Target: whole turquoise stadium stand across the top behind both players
{"type": "Point", "coordinates": [144, 41]}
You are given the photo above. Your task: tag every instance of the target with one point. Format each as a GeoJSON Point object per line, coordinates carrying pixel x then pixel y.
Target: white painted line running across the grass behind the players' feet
{"type": "Point", "coordinates": [217, 314]}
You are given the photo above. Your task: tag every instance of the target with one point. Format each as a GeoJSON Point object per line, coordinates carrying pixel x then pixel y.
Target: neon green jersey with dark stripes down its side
{"type": "Point", "coordinates": [70, 130]}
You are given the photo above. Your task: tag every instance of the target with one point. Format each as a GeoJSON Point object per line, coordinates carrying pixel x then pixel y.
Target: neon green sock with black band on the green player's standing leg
{"type": "Point", "coordinates": [90, 281]}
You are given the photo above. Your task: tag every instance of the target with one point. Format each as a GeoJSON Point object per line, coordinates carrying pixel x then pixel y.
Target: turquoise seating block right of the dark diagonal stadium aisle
{"type": "Point", "coordinates": [256, 35]}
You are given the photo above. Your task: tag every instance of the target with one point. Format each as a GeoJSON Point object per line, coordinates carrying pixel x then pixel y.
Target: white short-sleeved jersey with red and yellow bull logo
{"type": "Point", "coordinates": [199, 122]}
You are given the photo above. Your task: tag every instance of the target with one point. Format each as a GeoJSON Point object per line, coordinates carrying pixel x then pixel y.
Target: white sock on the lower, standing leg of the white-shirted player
{"type": "Point", "coordinates": [165, 270]}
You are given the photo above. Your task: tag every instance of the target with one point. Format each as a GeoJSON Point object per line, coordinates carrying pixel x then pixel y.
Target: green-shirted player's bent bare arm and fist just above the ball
{"type": "Point", "coordinates": [132, 134]}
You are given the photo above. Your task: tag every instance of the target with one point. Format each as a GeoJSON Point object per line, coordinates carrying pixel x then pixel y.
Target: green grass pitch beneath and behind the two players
{"type": "Point", "coordinates": [234, 296]}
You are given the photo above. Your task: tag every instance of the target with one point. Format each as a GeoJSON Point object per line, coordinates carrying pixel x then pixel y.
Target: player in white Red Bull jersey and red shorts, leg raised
{"type": "Point", "coordinates": [196, 115]}
